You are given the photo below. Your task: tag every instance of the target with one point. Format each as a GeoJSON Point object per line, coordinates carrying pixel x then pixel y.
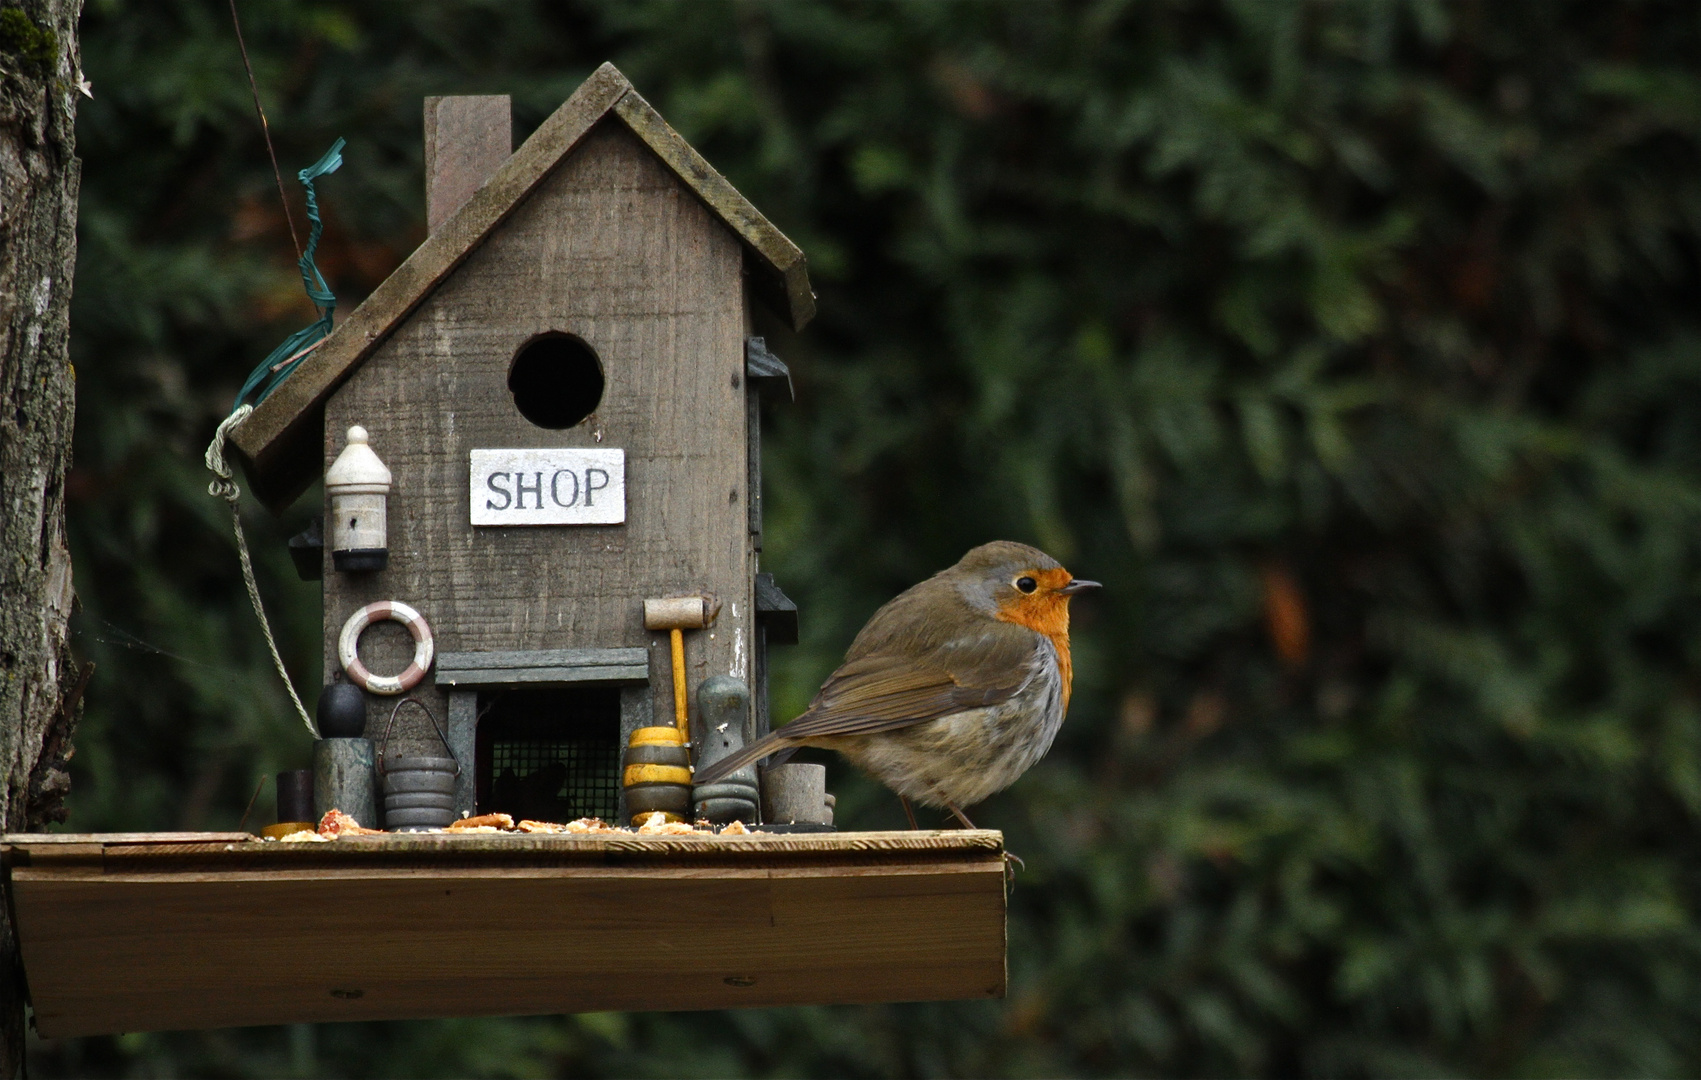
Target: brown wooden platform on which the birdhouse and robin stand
{"type": "Point", "coordinates": [174, 931]}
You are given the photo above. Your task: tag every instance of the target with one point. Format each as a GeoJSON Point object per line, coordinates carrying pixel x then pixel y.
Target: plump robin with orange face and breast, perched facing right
{"type": "Point", "coordinates": [953, 690]}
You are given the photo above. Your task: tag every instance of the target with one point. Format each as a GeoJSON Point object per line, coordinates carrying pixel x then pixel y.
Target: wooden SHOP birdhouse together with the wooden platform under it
{"type": "Point", "coordinates": [543, 504]}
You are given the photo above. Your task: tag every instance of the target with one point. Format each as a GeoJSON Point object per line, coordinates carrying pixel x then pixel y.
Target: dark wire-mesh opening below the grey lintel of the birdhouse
{"type": "Point", "coordinates": [552, 756]}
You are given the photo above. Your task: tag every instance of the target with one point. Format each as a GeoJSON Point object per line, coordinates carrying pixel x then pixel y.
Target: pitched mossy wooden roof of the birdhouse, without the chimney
{"type": "Point", "coordinates": [282, 445]}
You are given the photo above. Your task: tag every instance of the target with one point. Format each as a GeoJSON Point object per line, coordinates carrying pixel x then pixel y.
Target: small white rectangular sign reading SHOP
{"type": "Point", "coordinates": [549, 487]}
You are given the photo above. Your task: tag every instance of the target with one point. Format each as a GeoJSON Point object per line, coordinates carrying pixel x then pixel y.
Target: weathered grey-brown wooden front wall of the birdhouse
{"type": "Point", "coordinates": [613, 249]}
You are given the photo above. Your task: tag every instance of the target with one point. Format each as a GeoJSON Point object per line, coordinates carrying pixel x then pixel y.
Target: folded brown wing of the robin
{"type": "Point", "coordinates": [882, 691]}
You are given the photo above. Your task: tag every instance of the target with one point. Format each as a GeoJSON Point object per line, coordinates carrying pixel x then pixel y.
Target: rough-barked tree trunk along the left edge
{"type": "Point", "coordinates": [40, 685]}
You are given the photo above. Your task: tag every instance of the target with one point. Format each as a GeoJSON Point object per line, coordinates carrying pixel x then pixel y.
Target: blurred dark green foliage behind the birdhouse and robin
{"type": "Point", "coordinates": [1355, 346]}
